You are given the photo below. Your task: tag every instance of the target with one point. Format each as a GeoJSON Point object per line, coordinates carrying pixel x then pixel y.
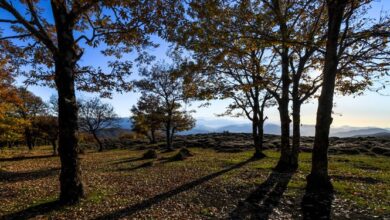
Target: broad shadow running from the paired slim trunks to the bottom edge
{"type": "Point", "coordinates": [260, 203]}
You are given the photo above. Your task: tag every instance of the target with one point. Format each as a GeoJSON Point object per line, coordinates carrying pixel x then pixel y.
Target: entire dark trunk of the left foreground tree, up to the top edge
{"type": "Point", "coordinates": [71, 185]}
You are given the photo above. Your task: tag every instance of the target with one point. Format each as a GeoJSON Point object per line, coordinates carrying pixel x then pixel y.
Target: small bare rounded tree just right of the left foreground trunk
{"type": "Point", "coordinates": [95, 116]}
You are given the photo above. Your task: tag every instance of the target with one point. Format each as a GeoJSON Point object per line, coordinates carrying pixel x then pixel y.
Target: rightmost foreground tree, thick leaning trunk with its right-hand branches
{"type": "Point", "coordinates": [353, 49]}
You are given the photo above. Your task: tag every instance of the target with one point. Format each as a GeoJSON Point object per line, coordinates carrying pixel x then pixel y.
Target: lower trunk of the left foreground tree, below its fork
{"type": "Point", "coordinates": [70, 177]}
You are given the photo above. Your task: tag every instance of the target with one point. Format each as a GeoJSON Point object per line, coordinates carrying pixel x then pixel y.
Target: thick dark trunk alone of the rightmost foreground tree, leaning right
{"type": "Point", "coordinates": [319, 178]}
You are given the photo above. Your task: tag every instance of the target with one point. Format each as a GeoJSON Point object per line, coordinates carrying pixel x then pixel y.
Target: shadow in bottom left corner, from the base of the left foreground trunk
{"type": "Point", "coordinates": [34, 211]}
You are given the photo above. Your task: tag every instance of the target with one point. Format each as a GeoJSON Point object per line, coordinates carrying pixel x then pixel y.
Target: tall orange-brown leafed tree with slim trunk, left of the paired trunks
{"type": "Point", "coordinates": [230, 61]}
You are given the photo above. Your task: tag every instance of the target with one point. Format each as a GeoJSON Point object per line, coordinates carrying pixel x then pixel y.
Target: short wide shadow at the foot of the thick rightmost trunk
{"type": "Point", "coordinates": [317, 204]}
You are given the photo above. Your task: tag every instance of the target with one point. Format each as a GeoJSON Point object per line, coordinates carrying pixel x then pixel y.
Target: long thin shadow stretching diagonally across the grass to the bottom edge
{"type": "Point", "coordinates": [163, 196]}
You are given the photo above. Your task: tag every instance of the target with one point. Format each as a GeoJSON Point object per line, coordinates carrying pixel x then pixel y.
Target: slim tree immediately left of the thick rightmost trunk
{"type": "Point", "coordinates": [305, 60]}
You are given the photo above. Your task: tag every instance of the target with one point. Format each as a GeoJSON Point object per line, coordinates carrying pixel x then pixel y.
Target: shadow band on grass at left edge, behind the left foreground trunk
{"type": "Point", "coordinates": [11, 177]}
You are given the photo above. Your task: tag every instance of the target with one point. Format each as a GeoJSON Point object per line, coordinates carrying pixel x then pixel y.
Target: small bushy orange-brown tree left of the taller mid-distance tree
{"type": "Point", "coordinates": [147, 117]}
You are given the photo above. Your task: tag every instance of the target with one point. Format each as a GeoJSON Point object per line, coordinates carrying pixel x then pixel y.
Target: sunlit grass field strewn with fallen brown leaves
{"type": "Point", "coordinates": [209, 185]}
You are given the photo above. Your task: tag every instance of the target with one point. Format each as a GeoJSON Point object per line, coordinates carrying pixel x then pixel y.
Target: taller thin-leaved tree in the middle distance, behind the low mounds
{"type": "Point", "coordinates": [165, 84]}
